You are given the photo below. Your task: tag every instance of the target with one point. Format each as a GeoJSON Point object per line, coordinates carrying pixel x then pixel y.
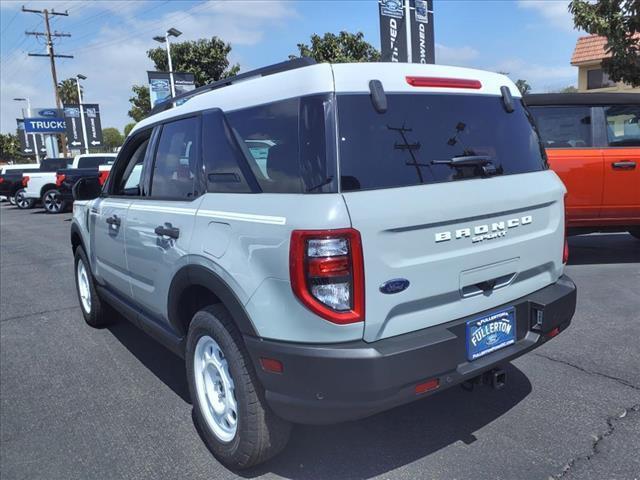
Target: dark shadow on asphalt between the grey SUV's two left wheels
{"type": "Point", "coordinates": [163, 363]}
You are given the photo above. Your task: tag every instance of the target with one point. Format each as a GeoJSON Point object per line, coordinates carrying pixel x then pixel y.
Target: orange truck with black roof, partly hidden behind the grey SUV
{"type": "Point", "coordinates": [593, 144]}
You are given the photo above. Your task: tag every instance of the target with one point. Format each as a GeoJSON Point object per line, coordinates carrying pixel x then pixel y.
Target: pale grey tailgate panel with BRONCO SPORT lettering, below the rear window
{"type": "Point", "coordinates": [399, 227]}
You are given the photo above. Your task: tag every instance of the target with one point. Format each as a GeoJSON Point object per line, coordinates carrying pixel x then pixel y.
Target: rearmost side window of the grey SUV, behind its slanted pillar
{"type": "Point", "coordinates": [288, 144]}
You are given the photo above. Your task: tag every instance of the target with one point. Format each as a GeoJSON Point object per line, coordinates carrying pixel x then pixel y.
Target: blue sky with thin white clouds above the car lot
{"type": "Point", "coordinates": [530, 39]}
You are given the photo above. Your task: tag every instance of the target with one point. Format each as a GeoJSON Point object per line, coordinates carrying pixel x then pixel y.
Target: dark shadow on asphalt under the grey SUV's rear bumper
{"type": "Point", "coordinates": [389, 440]}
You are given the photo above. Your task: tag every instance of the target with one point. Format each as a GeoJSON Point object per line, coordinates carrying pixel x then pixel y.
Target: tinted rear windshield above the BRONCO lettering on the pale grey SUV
{"type": "Point", "coordinates": [396, 148]}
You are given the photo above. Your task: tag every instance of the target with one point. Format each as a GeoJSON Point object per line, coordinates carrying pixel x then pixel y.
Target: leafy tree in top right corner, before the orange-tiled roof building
{"type": "Point", "coordinates": [618, 21]}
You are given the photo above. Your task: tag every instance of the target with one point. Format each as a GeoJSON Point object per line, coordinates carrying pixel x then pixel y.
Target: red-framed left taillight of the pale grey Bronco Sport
{"type": "Point", "coordinates": [327, 273]}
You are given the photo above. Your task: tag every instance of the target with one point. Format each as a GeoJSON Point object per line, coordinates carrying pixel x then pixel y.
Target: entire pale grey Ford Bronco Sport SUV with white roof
{"type": "Point", "coordinates": [407, 237]}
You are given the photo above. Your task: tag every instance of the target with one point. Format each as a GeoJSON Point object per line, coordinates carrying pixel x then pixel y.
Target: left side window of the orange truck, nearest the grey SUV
{"type": "Point", "coordinates": [564, 127]}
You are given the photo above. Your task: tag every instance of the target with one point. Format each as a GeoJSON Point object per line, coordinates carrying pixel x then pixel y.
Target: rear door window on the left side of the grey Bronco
{"type": "Point", "coordinates": [175, 170]}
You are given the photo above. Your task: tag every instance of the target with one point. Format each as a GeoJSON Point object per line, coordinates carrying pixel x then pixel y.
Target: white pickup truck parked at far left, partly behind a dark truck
{"type": "Point", "coordinates": [42, 186]}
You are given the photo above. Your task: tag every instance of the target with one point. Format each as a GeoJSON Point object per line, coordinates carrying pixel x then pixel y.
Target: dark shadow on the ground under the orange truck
{"type": "Point", "coordinates": [603, 248]}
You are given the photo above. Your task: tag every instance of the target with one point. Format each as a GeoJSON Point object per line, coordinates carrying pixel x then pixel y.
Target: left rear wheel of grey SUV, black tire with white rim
{"type": "Point", "coordinates": [229, 407]}
